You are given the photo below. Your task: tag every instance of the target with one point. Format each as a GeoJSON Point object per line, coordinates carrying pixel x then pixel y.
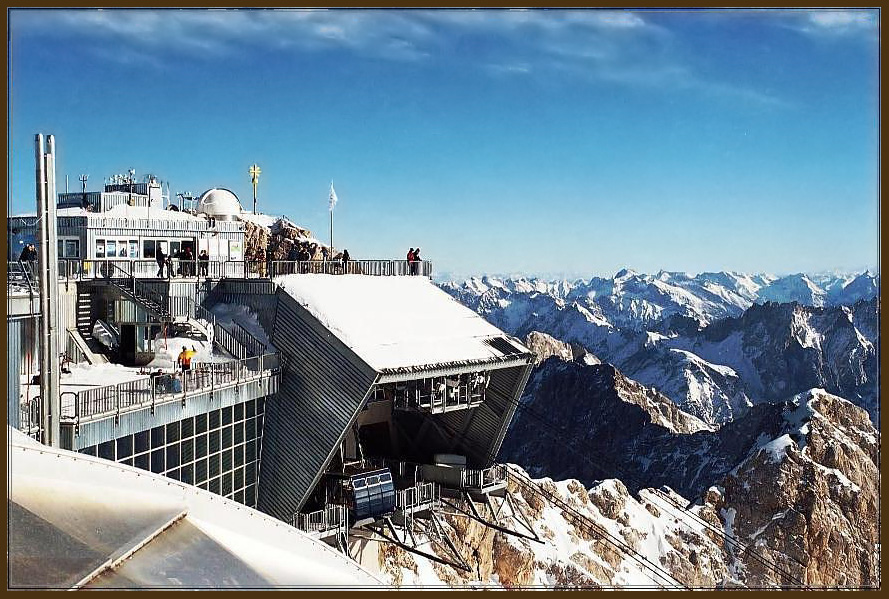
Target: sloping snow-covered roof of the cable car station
{"type": "Point", "coordinates": [394, 323]}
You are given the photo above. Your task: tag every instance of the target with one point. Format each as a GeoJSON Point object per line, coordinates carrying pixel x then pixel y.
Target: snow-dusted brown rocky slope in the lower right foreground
{"type": "Point", "coordinates": [797, 507]}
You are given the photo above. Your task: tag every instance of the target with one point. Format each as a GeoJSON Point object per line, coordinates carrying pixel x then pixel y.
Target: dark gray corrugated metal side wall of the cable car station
{"type": "Point", "coordinates": [323, 387]}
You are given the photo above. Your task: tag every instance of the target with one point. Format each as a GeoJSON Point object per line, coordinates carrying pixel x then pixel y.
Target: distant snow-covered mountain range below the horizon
{"type": "Point", "coordinates": [715, 343]}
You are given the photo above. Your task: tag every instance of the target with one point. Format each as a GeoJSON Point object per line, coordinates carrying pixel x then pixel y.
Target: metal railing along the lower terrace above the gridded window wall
{"type": "Point", "coordinates": [154, 389]}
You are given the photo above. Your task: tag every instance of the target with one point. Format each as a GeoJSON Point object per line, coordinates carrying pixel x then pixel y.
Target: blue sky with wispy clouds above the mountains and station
{"type": "Point", "coordinates": [567, 143]}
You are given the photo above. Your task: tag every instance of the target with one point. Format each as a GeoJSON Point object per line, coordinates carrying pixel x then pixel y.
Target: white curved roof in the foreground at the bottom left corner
{"type": "Point", "coordinates": [77, 521]}
